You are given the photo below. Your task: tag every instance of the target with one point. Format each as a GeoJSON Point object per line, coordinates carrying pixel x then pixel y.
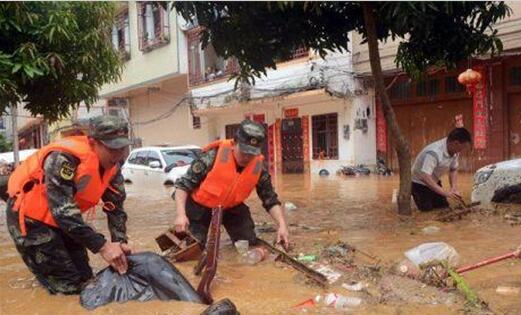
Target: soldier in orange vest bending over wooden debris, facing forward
{"type": "Point", "coordinates": [225, 175]}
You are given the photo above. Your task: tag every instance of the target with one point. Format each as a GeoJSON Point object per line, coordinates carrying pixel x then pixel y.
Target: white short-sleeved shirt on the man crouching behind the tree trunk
{"type": "Point", "coordinates": [434, 160]}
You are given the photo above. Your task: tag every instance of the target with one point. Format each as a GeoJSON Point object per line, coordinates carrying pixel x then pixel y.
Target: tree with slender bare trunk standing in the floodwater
{"type": "Point", "coordinates": [430, 34]}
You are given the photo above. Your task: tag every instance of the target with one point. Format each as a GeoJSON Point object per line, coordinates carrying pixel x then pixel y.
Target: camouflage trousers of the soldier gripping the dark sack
{"type": "Point", "coordinates": [59, 263]}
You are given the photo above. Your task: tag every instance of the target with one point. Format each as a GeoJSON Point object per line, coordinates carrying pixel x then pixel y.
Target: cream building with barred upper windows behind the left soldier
{"type": "Point", "coordinates": [152, 91]}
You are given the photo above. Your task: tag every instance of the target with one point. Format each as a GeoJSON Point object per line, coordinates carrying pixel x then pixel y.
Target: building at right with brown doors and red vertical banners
{"type": "Point", "coordinates": [428, 109]}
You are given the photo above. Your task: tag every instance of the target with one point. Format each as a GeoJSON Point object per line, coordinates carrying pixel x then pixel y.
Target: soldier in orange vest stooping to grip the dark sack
{"type": "Point", "coordinates": [49, 192]}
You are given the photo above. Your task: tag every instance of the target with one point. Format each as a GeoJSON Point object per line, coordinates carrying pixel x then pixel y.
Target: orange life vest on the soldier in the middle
{"type": "Point", "coordinates": [223, 185]}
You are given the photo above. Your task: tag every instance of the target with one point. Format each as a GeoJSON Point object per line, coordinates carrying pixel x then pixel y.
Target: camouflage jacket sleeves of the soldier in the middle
{"type": "Point", "coordinates": [201, 167]}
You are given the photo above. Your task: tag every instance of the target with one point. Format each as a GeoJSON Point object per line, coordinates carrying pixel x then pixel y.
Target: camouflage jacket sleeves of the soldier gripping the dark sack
{"type": "Point", "coordinates": [60, 195]}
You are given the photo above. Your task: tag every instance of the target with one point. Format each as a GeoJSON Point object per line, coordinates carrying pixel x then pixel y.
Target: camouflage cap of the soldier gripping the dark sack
{"type": "Point", "coordinates": [112, 131]}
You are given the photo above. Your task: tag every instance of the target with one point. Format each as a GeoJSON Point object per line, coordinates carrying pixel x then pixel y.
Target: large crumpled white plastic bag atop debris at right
{"type": "Point", "coordinates": [430, 252]}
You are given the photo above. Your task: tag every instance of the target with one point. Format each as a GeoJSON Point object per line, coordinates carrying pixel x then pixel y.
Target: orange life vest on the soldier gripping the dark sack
{"type": "Point", "coordinates": [27, 187]}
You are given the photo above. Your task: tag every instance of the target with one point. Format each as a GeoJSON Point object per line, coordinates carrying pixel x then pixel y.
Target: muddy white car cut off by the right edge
{"type": "Point", "coordinates": [494, 181]}
